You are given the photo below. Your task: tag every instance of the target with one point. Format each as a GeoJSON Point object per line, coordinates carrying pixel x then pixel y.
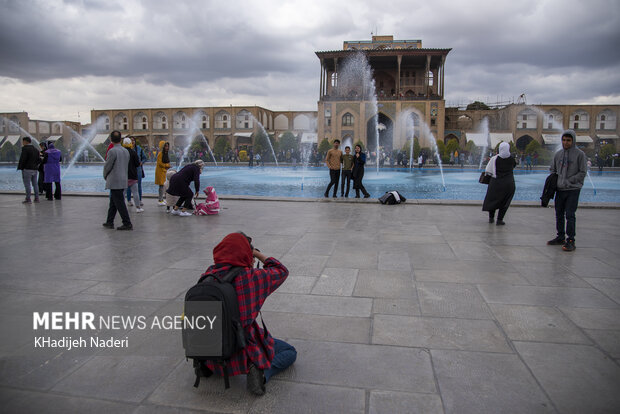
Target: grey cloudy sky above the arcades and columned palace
{"type": "Point", "coordinates": [61, 58]}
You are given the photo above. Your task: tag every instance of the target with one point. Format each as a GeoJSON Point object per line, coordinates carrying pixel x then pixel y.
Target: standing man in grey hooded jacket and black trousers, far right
{"type": "Point", "coordinates": [570, 164]}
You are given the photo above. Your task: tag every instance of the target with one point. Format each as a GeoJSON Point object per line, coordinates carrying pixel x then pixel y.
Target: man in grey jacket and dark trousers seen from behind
{"type": "Point", "coordinates": [115, 175]}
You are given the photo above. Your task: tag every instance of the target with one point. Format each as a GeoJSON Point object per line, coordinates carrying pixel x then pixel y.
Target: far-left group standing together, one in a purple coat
{"type": "Point", "coordinates": [40, 169]}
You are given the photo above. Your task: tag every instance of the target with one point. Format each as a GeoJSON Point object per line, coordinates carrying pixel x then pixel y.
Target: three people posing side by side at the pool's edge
{"type": "Point", "coordinates": [352, 170]}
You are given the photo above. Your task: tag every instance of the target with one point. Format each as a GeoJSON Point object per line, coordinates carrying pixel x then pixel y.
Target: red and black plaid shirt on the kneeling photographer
{"type": "Point", "coordinates": [252, 286]}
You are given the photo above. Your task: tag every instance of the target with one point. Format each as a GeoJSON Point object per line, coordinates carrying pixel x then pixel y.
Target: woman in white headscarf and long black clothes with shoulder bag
{"type": "Point", "coordinates": [502, 185]}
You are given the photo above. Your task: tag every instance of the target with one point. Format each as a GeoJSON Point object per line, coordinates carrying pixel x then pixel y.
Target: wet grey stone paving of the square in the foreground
{"type": "Point", "coordinates": [393, 309]}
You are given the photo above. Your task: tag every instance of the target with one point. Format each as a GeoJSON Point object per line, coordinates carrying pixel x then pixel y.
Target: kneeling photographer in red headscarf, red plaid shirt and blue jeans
{"type": "Point", "coordinates": [263, 356]}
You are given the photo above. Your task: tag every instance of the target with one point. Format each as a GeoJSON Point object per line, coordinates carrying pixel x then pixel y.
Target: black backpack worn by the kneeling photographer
{"type": "Point", "coordinates": [218, 294]}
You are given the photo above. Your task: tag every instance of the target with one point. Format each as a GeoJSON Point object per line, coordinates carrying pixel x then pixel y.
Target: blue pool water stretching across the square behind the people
{"type": "Point", "coordinates": [461, 184]}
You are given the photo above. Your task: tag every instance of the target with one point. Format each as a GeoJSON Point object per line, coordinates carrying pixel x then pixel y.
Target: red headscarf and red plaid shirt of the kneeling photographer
{"type": "Point", "coordinates": [253, 286]}
